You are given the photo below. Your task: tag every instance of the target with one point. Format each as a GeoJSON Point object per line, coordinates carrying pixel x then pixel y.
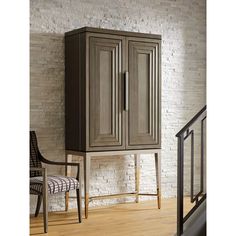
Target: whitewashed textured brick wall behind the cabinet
{"type": "Point", "coordinates": [182, 24]}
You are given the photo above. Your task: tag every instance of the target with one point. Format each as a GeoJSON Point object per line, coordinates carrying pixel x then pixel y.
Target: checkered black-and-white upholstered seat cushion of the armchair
{"type": "Point", "coordinates": [56, 184]}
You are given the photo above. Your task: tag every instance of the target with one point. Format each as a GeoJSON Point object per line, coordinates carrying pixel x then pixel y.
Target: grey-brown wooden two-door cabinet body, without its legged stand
{"type": "Point", "coordinates": [112, 90]}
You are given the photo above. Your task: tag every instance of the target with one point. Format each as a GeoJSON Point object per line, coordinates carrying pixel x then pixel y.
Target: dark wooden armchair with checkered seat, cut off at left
{"type": "Point", "coordinates": [42, 184]}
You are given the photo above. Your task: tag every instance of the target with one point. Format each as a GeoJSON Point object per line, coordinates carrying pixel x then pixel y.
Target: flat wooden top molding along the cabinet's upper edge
{"type": "Point", "coordinates": [111, 31]}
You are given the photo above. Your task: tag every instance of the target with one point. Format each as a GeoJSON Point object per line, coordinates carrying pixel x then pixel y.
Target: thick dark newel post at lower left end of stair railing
{"type": "Point", "coordinates": [180, 185]}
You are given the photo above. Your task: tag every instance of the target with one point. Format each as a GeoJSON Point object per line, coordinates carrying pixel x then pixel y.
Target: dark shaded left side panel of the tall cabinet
{"type": "Point", "coordinates": [72, 95]}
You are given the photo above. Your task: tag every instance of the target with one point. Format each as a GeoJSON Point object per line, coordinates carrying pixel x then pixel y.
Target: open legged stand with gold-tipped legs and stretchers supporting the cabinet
{"type": "Point", "coordinates": [73, 155]}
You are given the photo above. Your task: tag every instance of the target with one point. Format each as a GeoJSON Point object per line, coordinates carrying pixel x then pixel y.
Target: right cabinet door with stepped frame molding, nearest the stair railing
{"type": "Point", "coordinates": [144, 94]}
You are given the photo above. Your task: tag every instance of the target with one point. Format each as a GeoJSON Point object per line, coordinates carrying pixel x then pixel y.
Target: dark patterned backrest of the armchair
{"type": "Point", "coordinates": [34, 155]}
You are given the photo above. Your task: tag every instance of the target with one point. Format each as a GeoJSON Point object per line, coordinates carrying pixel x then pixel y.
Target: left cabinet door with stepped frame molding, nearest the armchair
{"type": "Point", "coordinates": [105, 101]}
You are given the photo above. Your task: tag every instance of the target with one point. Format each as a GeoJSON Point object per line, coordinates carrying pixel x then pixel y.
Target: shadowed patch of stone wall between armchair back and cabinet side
{"type": "Point", "coordinates": [47, 93]}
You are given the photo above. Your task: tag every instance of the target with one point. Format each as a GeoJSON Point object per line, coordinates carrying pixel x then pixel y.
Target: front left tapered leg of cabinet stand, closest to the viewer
{"type": "Point", "coordinates": [87, 160]}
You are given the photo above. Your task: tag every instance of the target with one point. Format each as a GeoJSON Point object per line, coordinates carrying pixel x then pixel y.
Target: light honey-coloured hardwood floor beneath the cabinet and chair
{"type": "Point", "coordinates": [123, 219]}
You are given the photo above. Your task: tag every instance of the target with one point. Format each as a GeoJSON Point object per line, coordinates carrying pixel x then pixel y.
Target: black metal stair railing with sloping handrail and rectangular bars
{"type": "Point", "coordinates": [198, 198]}
